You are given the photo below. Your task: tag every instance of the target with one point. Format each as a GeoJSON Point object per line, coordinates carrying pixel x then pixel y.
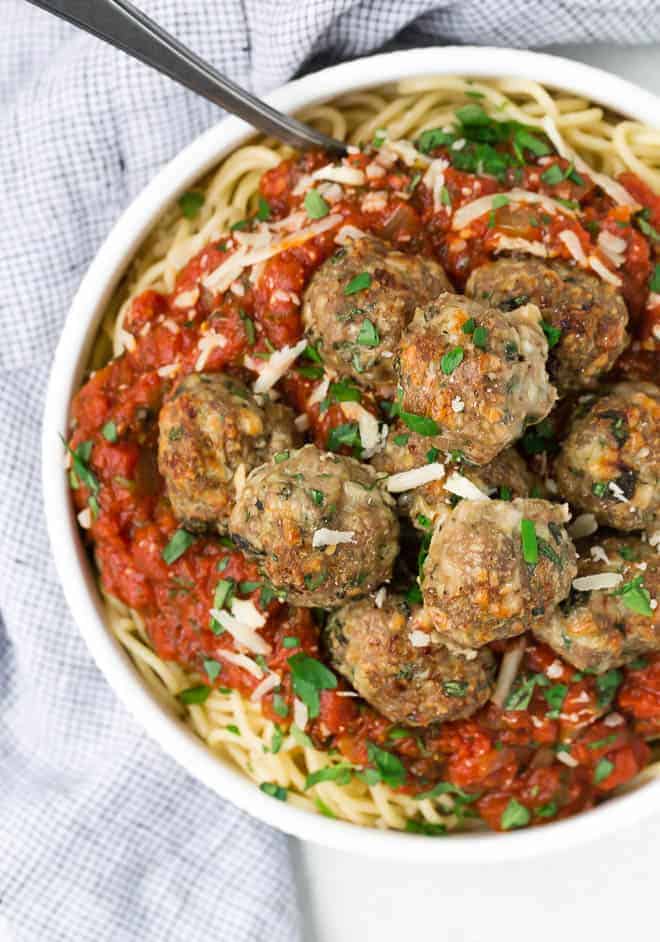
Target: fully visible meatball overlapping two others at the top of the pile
{"type": "Point", "coordinates": [476, 374]}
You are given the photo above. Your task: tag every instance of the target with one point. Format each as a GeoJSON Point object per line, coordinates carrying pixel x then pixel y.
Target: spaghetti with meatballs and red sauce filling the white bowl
{"type": "Point", "coordinates": [314, 373]}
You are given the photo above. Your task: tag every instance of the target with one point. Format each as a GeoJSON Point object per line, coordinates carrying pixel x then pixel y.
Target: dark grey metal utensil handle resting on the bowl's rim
{"type": "Point", "coordinates": [122, 25]}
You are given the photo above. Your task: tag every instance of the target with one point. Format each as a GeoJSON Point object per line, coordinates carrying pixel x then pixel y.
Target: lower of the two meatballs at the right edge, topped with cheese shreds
{"type": "Point", "coordinates": [603, 628]}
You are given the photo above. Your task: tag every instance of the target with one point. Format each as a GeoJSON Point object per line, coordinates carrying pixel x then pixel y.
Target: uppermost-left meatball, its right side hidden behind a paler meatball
{"type": "Point", "coordinates": [358, 328]}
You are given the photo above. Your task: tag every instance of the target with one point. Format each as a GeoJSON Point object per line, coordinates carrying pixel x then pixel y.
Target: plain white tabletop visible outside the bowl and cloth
{"type": "Point", "coordinates": [592, 892]}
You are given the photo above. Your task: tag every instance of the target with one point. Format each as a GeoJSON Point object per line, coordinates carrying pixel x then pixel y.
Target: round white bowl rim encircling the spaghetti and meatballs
{"type": "Point", "coordinates": [71, 356]}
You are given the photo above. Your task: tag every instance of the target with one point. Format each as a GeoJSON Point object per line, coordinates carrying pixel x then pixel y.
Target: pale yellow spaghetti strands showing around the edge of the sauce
{"type": "Point", "coordinates": [281, 756]}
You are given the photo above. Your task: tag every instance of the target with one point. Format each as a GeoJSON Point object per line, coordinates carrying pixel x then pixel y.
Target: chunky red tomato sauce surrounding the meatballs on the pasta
{"type": "Point", "coordinates": [570, 738]}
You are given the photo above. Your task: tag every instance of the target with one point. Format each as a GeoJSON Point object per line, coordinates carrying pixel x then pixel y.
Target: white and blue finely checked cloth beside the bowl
{"type": "Point", "coordinates": [102, 836]}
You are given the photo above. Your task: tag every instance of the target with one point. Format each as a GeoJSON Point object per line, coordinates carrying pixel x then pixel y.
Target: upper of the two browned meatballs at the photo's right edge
{"type": "Point", "coordinates": [609, 463]}
